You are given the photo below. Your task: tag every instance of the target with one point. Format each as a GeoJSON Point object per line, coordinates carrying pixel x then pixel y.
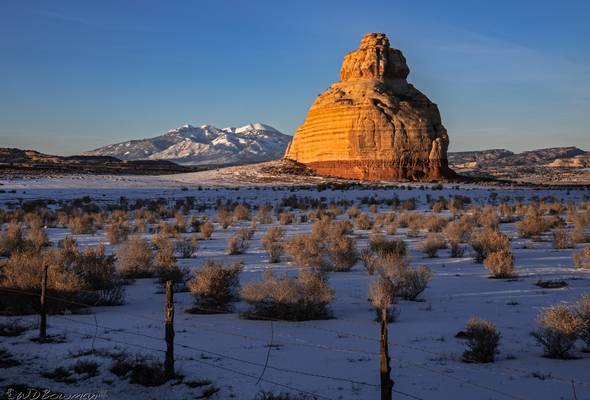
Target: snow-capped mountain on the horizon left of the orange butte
{"type": "Point", "coordinates": [206, 144]}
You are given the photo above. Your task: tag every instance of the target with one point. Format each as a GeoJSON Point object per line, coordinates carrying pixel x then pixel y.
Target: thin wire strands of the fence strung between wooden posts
{"type": "Point", "coordinates": [267, 365]}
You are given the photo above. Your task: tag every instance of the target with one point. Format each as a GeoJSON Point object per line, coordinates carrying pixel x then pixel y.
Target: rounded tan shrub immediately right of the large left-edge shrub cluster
{"type": "Point", "coordinates": [135, 259]}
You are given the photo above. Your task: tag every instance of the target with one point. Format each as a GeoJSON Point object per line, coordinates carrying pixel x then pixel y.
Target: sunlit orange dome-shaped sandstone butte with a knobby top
{"type": "Point", "coordinates": [373, 124]}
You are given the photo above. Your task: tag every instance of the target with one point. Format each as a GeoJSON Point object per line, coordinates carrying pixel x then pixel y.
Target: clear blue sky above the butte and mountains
{"type": "Point", "coordinates": [75, 75]}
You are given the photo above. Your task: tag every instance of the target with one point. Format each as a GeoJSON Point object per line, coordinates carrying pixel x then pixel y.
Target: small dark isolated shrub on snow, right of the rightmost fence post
{"type": "Point", "coordinates": [482, 341]}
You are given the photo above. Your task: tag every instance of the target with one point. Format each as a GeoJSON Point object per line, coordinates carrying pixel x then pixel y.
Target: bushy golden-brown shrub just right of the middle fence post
{"type": "Point", "coordinates": [216, 286]}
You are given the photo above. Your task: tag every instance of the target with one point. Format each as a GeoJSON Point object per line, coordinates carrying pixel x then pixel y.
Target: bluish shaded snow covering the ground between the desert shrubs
{"type": "Point", "coordinates": [333, 359]}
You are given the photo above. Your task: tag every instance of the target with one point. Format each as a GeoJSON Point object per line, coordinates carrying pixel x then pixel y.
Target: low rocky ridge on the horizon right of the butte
{"type": "Point", "coordinates": [496, 158]}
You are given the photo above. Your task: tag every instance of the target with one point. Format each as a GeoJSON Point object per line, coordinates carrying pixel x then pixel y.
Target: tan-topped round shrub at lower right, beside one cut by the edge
{"type": "Point", "coordinates": [558, 331]}
